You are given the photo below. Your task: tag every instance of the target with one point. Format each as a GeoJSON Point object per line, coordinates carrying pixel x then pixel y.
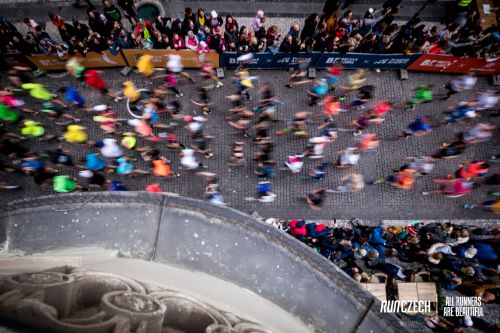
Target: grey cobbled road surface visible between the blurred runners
{"type": "Point", "coordinates": [374, 204]}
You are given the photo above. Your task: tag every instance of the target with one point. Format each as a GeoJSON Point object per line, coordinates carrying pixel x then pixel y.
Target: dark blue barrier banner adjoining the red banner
{"type": "Point", "coordinates": [363, 60]}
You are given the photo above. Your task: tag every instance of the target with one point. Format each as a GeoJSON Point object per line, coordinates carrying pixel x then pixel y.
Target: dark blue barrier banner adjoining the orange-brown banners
{"type": "Point", "coordinates": [269, 60]}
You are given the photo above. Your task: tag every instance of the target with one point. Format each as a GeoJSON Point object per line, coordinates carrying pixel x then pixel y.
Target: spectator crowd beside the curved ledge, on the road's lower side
{"type": "Point", "coordinates": [459, 258]}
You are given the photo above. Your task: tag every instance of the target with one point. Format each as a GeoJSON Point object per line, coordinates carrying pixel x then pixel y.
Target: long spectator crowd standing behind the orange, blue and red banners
{"type": "Point", "coordinates": [333, 31]}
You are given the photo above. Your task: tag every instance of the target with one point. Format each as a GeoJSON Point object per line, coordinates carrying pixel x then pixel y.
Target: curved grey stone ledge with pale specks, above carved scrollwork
{"type": "Point", "coordinates": [194, 235]}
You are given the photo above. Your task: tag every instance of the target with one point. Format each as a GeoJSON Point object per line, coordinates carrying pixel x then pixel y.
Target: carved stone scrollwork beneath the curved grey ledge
{"type": "Point", "coordinates": [81, 301]}
